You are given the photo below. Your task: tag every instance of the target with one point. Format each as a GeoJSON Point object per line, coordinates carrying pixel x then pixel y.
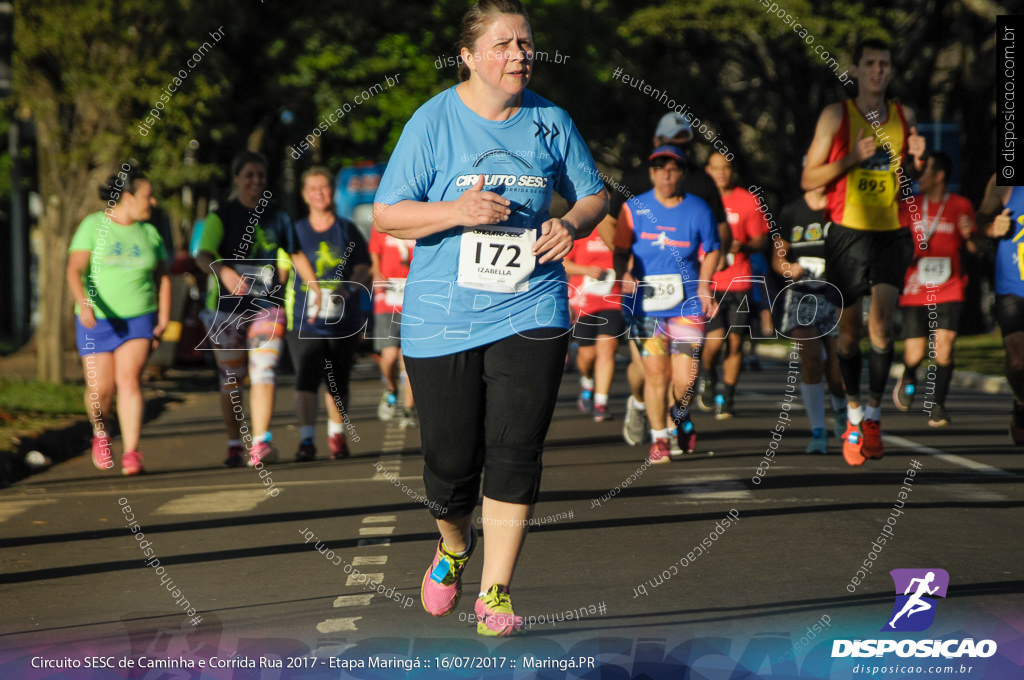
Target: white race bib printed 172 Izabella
{"type": "Point", "coordinates": [497, 259]}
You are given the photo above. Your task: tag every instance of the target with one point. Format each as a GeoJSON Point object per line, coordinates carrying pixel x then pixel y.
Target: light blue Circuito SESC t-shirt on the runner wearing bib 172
{"type": "Point", "coordinates": [470, 287]}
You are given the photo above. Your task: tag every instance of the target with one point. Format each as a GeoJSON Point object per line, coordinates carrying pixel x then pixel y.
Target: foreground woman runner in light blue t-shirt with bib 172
{"type": "Point", "coordinates": [486, 315]}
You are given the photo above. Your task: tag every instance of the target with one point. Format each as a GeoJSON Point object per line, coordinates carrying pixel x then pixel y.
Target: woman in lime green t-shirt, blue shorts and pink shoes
{"type": "Point", "coordinates": [117, 272]}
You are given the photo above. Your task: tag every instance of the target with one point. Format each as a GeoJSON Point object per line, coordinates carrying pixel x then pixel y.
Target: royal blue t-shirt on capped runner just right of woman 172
{"type": "Point", "coordinates": [666, 252]}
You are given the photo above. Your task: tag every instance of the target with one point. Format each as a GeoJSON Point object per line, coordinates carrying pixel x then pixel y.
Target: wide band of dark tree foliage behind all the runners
{"type": "Point", "coordinates": [91, 71]}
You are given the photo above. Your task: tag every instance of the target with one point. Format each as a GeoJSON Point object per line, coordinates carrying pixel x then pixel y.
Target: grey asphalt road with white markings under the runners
{"type": "Point", "coordinates": [622, 582]}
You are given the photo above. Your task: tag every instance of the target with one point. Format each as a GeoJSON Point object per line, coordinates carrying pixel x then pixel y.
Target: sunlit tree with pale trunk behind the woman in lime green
{"type": "Point", "coordinates": [88, 73]}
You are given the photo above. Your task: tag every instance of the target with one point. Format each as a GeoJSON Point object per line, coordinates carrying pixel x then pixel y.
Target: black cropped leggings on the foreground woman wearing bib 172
{"type": "Point", "coordinates": [487, 409]}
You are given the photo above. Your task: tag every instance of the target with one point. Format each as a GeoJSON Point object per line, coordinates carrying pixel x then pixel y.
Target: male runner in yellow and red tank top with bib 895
{"type": "Point", "coordinates": [866, 152]}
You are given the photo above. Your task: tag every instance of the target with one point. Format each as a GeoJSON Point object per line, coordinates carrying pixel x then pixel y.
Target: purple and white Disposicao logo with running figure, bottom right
{"type": "Point", "coordinates": [915, 611]}
